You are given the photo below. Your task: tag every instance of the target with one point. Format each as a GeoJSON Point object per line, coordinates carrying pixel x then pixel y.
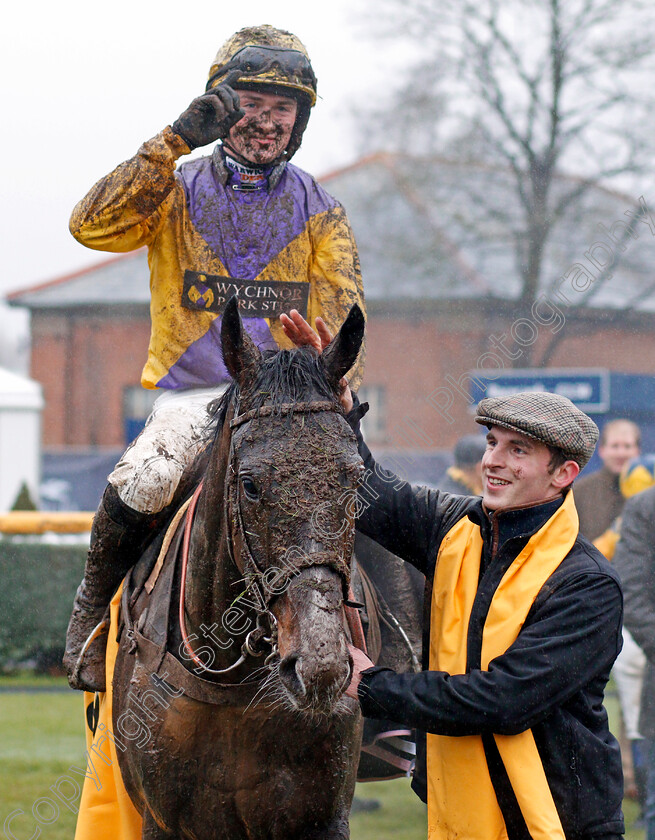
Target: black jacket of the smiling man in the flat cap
{"type": "Point", "coordinates": [551, 680]}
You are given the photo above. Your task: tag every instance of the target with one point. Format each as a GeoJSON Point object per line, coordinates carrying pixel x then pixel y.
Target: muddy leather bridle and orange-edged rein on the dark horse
{"type": "Point", "coordinates": [248, 565]}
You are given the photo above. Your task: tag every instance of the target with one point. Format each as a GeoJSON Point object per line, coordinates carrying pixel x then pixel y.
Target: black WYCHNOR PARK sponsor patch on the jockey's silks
{"type": "Point", "coordinates": [256, 298]}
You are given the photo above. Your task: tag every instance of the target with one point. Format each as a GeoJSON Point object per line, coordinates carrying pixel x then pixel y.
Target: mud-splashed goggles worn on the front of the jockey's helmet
{"type": "Point", "coordinates": [294, 68]}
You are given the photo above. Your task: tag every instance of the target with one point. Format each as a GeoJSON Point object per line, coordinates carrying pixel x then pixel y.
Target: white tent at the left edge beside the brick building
{"type": "Point", "coordinates": [21, 402]}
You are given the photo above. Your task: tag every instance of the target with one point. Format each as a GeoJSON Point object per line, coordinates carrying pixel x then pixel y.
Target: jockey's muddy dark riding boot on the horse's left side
{"type": "Point", "coordinates": [118, 535]}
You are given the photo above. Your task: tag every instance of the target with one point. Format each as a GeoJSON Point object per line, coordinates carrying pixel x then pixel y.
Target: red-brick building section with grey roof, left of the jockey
{"type": "Point", "coordinates": [89, 337]}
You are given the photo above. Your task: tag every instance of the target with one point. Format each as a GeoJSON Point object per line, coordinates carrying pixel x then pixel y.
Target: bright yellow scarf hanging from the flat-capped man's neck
{"type": "Point", "coordinates": [461, 797]}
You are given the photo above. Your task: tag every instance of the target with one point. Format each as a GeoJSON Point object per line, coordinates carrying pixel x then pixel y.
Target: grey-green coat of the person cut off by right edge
{"type": "Point", "coordinates": [634, 560]}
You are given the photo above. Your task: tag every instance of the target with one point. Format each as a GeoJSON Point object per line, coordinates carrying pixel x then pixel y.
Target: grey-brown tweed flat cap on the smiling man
{"type": "Point", "coordinates": [548, 418]}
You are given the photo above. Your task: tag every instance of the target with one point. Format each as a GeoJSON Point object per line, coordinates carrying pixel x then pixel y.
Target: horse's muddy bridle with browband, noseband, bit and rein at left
{"type": "Point", "coordinates": [256, 642]}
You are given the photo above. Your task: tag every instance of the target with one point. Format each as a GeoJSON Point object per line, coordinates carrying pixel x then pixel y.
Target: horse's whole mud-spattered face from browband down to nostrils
{"type": "Point", "coordinates": [294, 482]}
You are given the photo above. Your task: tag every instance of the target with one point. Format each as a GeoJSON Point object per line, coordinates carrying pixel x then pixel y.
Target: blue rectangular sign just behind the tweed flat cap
{"type": "Point", "coordinates": [589, 389]}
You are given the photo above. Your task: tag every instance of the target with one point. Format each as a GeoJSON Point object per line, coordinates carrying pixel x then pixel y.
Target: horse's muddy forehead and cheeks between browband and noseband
{"type": "Point", "coordinates": [295, 486]}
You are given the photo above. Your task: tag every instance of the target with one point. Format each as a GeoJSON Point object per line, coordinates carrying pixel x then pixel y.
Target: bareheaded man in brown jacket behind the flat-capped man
{"type": "Point", "coordinates": [598, 497]}
